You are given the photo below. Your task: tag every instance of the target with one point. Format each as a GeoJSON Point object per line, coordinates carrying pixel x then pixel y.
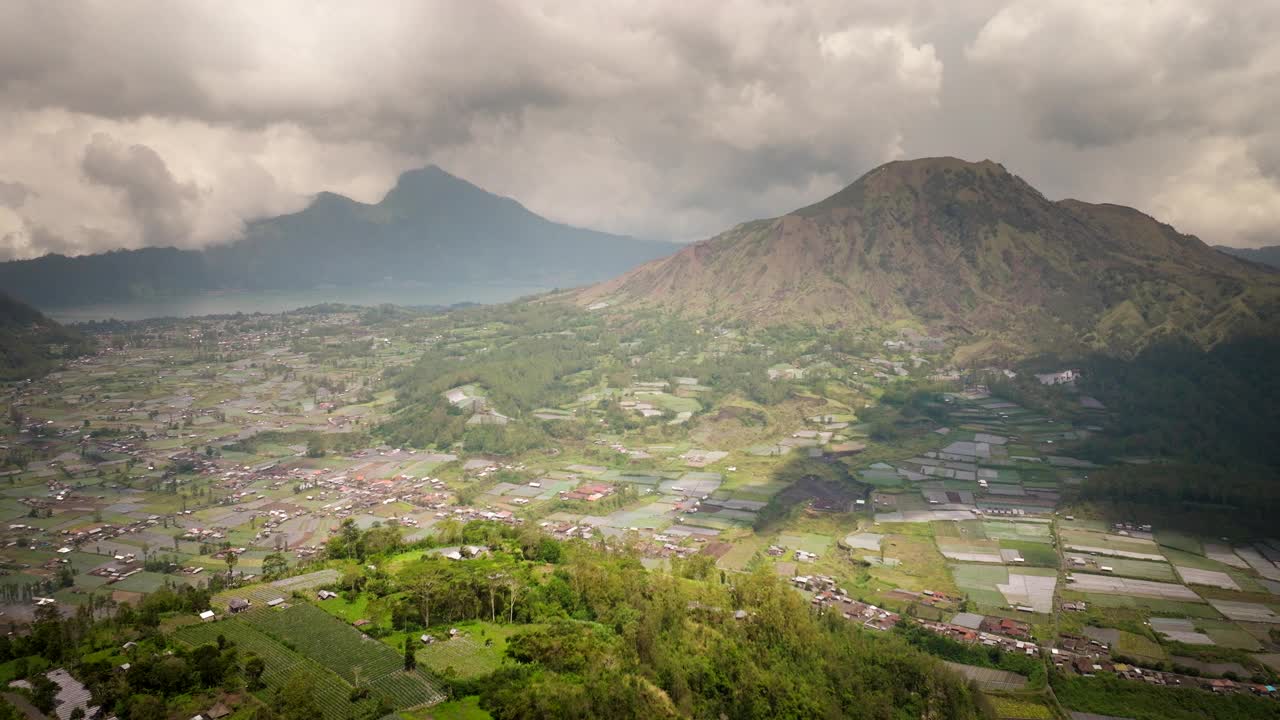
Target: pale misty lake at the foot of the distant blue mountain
{"type": "Point", "coordinates": [280, 302]}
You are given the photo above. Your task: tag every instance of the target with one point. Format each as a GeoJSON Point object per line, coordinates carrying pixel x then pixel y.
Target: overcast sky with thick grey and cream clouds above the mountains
{"type": "Point", "coordinates": [131, 124]}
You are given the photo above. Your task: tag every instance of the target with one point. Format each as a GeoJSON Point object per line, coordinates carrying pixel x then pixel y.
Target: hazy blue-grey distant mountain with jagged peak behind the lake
{"type": "Point", "coordinates": [431, 229]}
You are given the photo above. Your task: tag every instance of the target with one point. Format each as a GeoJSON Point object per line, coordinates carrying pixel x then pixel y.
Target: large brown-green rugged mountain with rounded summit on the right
{"type": "Point", "coordinates": [968, 249]}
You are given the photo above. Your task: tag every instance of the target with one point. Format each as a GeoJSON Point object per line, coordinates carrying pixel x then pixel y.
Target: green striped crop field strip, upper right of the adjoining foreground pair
{"type": "Point", "coordinates": [349, 653]}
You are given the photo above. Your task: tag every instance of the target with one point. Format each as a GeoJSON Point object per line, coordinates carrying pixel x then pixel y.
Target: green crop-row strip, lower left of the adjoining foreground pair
{"type": "Point", "coordinates": [332, 694]}
